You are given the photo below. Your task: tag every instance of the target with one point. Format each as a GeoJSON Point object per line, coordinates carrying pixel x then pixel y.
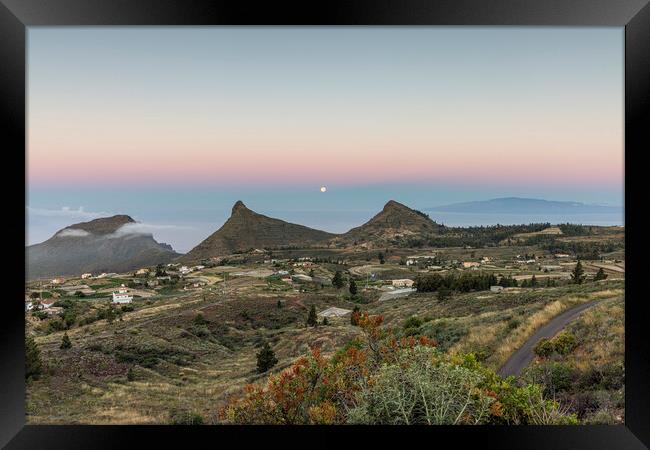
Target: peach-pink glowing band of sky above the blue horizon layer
{"type": "Point", "coordinates": [516, 158]}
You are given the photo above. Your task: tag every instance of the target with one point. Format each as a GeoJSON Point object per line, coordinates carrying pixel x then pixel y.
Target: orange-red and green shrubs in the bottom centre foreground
{"type": "Point", "coordinates": [379, 379]}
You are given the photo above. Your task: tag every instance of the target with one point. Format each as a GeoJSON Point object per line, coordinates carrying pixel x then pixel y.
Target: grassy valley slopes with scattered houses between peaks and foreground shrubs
{"type": "Point", "coordinates": [171, 332]}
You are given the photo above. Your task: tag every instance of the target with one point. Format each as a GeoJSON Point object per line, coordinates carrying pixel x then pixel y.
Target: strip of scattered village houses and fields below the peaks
{"type": "Point", "coordinates": [389, 279]}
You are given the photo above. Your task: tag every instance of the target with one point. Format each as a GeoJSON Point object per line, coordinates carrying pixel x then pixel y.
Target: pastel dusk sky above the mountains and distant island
{"type": "Point", "coordinates": [172, 125]}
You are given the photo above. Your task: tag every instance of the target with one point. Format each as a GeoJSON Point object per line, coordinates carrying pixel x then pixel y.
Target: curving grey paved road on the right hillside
{"type": "Point", "coordinates": [523, 357]}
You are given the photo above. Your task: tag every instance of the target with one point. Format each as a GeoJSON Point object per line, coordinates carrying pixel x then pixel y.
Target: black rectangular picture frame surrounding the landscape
{"type": "Point", "coordinates": [16, 15]}
